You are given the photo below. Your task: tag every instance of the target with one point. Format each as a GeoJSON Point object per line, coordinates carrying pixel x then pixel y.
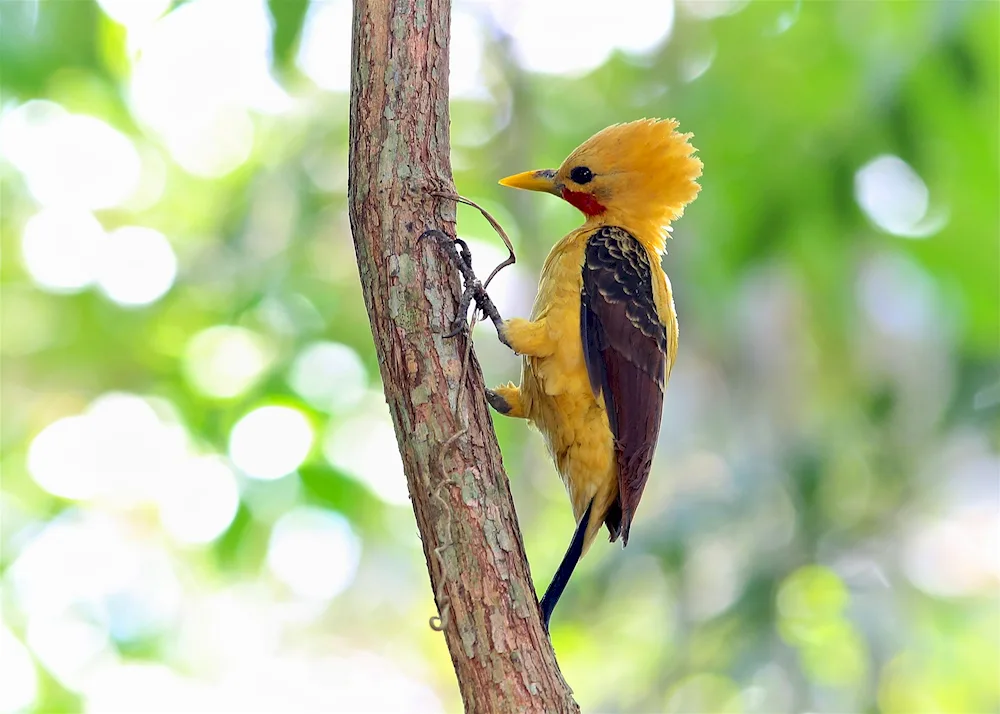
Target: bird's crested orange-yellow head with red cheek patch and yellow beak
{"type": "Point", "coordinates": [638, 175]}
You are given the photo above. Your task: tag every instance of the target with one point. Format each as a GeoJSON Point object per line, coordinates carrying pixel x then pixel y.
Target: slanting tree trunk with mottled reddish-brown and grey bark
{"type": "Point", "coordinates": [399, 151]}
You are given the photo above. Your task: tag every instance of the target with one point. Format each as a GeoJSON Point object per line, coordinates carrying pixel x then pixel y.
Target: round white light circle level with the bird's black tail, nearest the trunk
{"type": "Point", "coordinates": [313, 552]}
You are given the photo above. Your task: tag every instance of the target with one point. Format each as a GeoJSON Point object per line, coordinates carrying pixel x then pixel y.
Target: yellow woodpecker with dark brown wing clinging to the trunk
{"type": "Point", "coordinates": [601, 340]}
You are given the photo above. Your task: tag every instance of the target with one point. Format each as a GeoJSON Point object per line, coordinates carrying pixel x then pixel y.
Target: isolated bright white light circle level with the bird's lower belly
{"type": "Point", "coordinates": [270, 442]}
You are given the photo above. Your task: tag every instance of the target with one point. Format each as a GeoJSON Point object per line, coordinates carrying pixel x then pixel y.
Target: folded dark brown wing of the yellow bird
{"type": "Point", "coordinates": [624, 344]}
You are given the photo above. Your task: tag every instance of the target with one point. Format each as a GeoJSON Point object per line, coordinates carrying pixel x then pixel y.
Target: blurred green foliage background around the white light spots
{"type": "Point", "coordinates": [819, 440]}
